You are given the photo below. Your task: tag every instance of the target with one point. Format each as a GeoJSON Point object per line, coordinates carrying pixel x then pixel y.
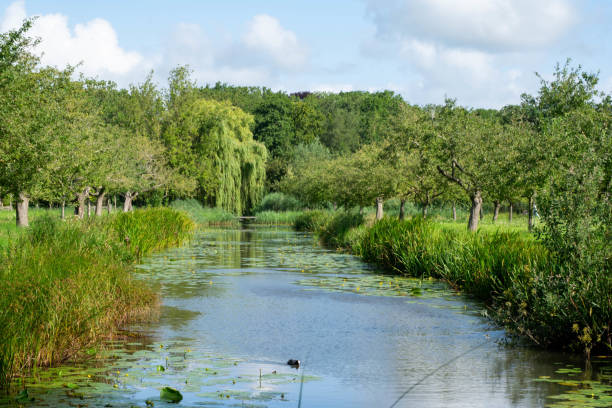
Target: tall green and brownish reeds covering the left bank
{"type": "Point", "coordinates": [66, 285]}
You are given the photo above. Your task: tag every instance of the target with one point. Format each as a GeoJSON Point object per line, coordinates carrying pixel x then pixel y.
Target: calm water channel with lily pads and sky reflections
{"type": "Point", "coordinates": [237, 304]}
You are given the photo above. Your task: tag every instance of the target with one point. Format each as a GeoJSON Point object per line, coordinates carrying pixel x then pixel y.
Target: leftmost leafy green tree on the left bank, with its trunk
{"type": "Point", "coordinates": [31, 115]}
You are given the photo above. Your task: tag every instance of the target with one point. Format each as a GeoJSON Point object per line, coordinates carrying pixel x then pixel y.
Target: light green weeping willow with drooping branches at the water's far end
{"type": "Point", "coordinates": [218, 150]}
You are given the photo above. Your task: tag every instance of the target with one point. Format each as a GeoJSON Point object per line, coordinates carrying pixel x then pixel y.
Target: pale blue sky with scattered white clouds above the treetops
{"type": "Point", "coordinates": [484, 53]}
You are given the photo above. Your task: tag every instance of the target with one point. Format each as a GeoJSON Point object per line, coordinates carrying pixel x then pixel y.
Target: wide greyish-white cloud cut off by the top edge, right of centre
{"type": "Point", "coordinates": [491, 25]}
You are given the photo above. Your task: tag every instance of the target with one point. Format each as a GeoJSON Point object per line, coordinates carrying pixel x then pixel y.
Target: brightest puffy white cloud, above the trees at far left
{"type": "Point", "coordinates": [94, 44]}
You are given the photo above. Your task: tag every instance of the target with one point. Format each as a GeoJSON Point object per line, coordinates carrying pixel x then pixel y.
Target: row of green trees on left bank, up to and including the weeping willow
{"type": "Point", "coordinates": [76, 140]}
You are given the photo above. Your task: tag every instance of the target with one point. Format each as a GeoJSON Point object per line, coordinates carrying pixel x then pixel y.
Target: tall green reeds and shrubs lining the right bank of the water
{"type": "Point", "coordinates": [526, 289]}
